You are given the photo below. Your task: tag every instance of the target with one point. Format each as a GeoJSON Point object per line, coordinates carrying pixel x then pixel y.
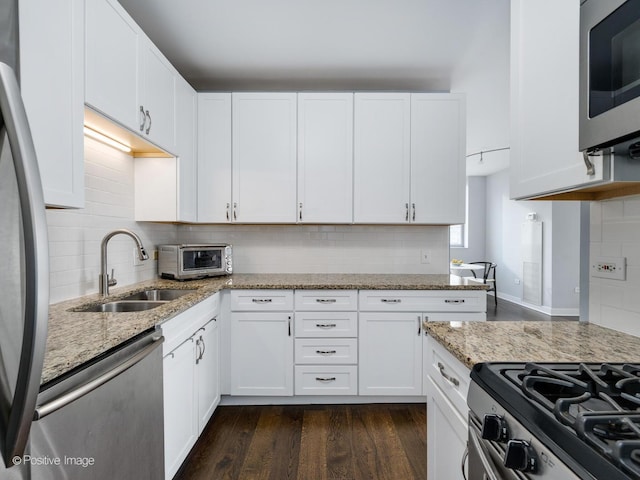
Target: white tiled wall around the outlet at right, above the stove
{"type": "Point", "coordinates": [615, 231]}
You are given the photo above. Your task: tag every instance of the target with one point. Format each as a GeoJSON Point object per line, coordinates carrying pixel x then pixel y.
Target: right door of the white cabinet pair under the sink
{"type": "Point", "coordinates": [207, 368]}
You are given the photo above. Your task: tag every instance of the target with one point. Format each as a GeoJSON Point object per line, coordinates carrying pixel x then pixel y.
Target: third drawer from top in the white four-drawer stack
{"type": "Point", "coordinates": [326, 352]}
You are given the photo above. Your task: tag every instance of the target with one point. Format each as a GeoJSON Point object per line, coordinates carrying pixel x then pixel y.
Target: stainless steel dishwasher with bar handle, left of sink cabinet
{"type": "Point", "coordinates": [103, 421]}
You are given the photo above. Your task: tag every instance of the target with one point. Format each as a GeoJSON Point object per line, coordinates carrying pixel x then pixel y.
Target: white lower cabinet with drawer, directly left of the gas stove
{"type": "Point", "coordinates": [446, 384]}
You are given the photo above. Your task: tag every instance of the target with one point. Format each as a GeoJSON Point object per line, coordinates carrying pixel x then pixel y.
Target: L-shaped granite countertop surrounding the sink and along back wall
{"type": "Point", "coordinates": [77, 337]}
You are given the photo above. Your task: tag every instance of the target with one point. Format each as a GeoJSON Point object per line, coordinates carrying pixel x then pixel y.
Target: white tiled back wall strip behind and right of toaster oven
{"type": "Point", "coordinates": [328, 248]}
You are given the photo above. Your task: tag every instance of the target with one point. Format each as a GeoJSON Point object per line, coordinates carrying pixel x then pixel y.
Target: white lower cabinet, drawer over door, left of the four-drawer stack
{"type": "Point", "coordinates": [262, 342]}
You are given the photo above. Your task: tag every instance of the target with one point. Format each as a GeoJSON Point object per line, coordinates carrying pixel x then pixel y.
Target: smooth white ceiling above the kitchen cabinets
{"type": "Point", "coordinates": [234, 45]}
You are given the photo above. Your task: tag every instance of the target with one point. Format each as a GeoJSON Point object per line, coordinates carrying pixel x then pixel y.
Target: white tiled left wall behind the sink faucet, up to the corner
{"type": "Point", "coordinates": [75, 235]}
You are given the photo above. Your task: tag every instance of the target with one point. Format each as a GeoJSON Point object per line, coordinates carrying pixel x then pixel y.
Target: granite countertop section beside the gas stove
{"type": "Point", "coordinates": [524, 341]}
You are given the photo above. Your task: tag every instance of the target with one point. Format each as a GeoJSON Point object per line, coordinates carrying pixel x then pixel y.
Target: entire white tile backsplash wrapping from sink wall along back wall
{"type": "Point", "coordinates": [75, 237]}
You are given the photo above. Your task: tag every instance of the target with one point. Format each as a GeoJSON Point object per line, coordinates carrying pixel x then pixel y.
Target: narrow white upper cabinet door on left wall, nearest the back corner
{"type": "Point", "coordinates": [186, 111]}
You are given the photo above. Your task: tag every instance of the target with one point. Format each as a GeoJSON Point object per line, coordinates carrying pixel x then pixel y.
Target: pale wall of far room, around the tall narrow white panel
{"type": "Point", "coordinates": [560, 246]}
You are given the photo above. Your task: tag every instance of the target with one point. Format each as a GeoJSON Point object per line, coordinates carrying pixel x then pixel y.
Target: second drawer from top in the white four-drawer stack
{"type": "Point", "coordinates": [327, 324]}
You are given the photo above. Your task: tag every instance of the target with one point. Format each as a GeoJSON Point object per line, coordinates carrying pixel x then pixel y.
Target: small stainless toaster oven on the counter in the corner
{"type": "Point", "coordinates": [190, 261]}
